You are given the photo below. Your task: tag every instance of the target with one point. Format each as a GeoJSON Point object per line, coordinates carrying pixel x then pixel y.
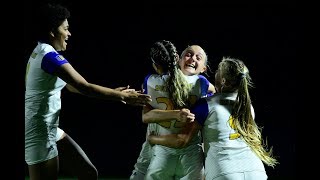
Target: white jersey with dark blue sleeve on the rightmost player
{"type": "Point", "coordinates": [225, 151]}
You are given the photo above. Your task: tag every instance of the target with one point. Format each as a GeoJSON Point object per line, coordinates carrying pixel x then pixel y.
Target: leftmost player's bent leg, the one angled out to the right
{"type": "Point", "coordinates": [73, 160]}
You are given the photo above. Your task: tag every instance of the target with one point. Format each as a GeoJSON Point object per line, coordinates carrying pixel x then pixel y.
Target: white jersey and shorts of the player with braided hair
{"type": "Point", "coordinates": [171, 163]}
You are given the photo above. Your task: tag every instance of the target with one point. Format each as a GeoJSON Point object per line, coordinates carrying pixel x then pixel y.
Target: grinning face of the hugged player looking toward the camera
{"type": "Point", "coordinates": [193, 60]}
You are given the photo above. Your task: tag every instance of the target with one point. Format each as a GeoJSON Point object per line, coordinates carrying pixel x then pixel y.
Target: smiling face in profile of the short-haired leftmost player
{"type": "Point", "coordinates": [60, 36]}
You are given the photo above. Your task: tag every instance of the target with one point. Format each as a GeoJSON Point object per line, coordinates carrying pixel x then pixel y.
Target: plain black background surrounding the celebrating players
{"type": "Point", "coordinates": [109, 46]}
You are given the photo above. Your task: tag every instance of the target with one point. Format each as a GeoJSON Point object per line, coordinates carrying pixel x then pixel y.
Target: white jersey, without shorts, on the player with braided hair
{"type": "Point", "coordinates": [154, 86]}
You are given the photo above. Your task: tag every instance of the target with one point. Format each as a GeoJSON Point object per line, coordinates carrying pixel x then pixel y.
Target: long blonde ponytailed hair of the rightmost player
{"type": "Point", "coordinates": [237, 74]}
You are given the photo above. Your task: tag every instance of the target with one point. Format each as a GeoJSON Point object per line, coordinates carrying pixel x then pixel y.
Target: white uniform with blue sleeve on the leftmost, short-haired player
{"type": "Point", "coordinates": [42, 103]}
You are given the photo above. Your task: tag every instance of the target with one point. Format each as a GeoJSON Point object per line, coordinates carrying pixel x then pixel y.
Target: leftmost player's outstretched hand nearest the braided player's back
{"type": "Point", "coordinates": [135, 98]}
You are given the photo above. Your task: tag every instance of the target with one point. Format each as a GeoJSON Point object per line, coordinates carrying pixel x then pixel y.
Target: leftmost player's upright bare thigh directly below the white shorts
{"type": "Point", "coordinates": [45, 170]}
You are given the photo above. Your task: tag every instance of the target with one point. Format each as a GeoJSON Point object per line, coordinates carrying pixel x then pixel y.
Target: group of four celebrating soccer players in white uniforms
{"type": "Point", "coordinates": [197, 128]}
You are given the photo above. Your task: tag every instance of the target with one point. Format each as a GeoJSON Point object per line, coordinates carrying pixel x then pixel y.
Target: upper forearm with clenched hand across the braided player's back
{"type": "Point", "coordinates": [151, 115]}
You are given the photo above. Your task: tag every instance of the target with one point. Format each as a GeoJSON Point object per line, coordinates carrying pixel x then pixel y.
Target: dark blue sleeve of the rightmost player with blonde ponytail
{"type": "Point", "coordinates": [201, 110]}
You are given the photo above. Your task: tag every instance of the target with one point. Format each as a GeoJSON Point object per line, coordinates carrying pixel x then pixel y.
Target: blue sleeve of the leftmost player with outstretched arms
{"type": "Point", "coordinates": [51, 61]}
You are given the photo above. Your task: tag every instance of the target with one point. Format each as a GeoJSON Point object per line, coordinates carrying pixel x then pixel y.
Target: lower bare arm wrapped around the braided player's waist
{"type": "Point", "coordinates": [179, 140]}
